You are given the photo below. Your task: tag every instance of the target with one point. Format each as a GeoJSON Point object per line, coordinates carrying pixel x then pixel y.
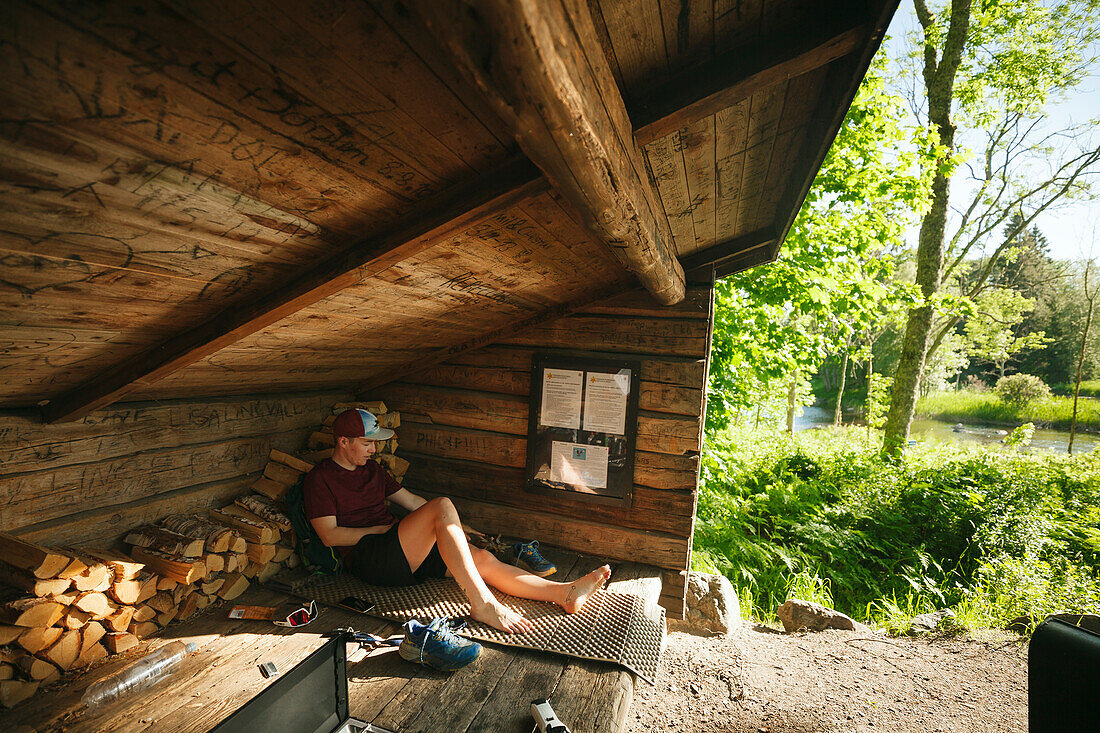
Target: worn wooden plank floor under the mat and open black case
{"type": "Point", "coordinates": [493, 695]}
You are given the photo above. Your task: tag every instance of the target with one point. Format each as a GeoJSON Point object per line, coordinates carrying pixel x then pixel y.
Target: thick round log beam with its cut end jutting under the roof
{"type": "Point", "coordinates": [541, 67]}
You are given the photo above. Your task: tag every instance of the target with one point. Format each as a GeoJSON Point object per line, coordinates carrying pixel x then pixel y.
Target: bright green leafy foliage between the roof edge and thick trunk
{"type": "Point", "coordinates": [834, 273]}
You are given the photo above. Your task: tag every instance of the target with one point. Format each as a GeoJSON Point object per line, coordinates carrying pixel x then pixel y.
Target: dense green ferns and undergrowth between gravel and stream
{"type": "Point", "coordinates": [820, 517]}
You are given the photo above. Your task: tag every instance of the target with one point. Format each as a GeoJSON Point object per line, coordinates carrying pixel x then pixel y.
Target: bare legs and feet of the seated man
{"type": "Point", "coordinates": [437, 523]}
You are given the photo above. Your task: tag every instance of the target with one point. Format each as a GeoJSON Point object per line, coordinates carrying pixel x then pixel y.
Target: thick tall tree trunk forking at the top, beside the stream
{"type": "Point", "coordinates": [940, 86]}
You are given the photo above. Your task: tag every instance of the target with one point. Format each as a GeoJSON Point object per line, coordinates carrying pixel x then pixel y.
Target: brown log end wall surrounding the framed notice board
{"type": "Point", "coordinates": [465, 425]}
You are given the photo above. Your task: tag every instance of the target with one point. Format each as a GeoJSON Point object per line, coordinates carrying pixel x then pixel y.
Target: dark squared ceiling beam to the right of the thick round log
{"type": "Point", "coordinates": [728, 80]}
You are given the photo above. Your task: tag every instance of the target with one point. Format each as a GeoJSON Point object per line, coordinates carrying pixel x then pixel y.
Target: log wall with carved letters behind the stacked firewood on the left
{"type": "Point", "coordinates": [90, 483]}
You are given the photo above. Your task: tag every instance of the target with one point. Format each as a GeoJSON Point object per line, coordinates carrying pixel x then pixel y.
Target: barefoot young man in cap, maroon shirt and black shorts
{"type": "Point", "coordinates": [345, 500]}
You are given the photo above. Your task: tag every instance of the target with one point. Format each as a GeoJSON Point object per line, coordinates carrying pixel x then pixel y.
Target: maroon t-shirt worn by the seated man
{"type": "Point", "coordinates": [355, 498]}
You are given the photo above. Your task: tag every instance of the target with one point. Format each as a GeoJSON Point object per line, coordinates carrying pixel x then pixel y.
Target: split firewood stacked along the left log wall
{"type": "Point", "coordinates": [63, 609]}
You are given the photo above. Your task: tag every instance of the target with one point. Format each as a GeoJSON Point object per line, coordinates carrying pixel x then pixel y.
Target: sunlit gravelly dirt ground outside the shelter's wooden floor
{"type": "Point", "coordinates": [762, 681]}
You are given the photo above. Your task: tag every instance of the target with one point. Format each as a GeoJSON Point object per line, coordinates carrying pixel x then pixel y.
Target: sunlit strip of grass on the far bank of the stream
{"type": "Point", "coordinates": [967, 407]}
